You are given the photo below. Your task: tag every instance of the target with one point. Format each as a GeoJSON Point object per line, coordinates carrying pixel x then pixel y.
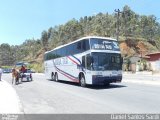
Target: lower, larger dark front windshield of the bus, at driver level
{"type": "Point", "coordinates": [106, 61]}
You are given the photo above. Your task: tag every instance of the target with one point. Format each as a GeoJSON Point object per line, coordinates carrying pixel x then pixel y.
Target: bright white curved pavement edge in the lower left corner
{"type": "Point", "coordinates": [9, 100]}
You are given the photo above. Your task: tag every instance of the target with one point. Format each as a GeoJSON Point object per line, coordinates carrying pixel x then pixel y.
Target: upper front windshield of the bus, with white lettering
{"type": "Point", "coordinates": [104, 44]}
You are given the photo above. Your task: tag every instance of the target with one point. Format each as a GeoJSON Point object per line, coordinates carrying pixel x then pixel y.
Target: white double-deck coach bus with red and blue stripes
{"type": "Point", "coordinates": [90, 60]}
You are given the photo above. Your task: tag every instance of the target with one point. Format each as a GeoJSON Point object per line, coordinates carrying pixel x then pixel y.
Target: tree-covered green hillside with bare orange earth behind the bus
{"type": "Point", "coordinates": [136, 33]}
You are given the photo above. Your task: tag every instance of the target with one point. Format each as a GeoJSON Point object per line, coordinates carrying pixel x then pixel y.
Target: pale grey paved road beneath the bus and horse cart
{"type": "Point", "coordinates": [44, 96]}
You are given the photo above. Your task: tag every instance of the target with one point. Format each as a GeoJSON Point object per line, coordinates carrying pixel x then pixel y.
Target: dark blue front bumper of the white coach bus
{"type": "Point", "coordinates": [102, 80]}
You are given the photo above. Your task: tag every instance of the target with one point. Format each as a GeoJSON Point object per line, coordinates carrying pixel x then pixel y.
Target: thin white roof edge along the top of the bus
{"type": "Point", "coordinates": [88, 37]}
